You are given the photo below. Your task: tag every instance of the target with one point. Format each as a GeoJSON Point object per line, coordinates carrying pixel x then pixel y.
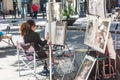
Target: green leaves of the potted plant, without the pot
{"type": "Point", "coordinates": [68, 11]}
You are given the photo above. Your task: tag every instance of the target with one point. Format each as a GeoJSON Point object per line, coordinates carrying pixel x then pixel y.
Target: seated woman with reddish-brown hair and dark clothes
{"type": "Point", "coordinates": [27, 30]}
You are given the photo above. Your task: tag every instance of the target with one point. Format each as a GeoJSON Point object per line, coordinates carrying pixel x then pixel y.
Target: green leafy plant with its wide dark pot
{"type": "Point", "coordinates": [66, 13]}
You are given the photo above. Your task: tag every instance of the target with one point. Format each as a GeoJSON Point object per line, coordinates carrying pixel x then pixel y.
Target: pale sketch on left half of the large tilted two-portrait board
{"type": "Point", "coordinates": [90, 31]}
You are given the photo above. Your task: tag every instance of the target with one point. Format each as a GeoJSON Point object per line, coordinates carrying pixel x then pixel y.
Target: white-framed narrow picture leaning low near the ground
{"type": "Point", "coordinates": [85, 68]}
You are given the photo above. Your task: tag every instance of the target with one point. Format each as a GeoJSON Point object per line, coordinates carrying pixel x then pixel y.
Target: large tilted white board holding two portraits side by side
{"type": "Point", "coordinates": [96, 34]}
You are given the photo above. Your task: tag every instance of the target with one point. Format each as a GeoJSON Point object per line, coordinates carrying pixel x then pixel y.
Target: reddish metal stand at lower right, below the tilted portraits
{"type": "Point", "coordinates": [108, 70]}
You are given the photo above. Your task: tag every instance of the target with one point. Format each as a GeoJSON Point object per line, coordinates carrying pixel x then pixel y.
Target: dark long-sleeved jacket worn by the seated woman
{"type": "Point", "coordinates": [35, 38]}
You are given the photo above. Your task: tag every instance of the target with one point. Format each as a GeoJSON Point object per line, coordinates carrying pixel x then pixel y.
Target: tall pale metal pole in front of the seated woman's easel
{"type": "Point", "coordinates": [50, 48]}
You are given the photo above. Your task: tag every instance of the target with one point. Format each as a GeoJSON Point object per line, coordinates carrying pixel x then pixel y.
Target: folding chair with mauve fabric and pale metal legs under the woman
{"type": "Point", "coordinates": [27, 57]}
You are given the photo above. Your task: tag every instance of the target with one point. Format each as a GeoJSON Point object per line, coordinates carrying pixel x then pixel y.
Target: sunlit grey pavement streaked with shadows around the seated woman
{"type": "Point", "coordinates": [8, 56]}
